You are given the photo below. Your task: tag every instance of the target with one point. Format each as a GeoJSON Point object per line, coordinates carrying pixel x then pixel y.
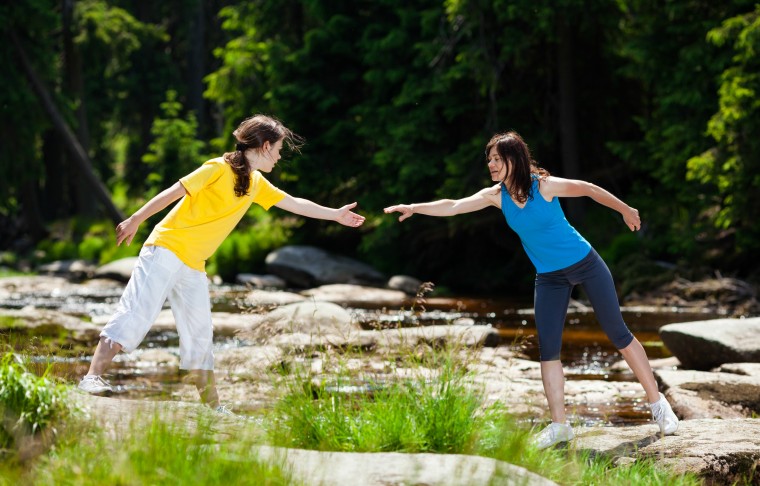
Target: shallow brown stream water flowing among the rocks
{"type": "Point", "coordinates": [586, 353]}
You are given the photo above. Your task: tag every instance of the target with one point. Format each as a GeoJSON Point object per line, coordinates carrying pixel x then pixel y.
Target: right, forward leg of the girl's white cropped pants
{"type": "Point", "coordinates": [191, 305]}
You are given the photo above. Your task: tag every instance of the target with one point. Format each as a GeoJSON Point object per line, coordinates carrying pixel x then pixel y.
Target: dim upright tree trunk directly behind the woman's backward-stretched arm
{"type": "Point", "coordinates": [568, 125]}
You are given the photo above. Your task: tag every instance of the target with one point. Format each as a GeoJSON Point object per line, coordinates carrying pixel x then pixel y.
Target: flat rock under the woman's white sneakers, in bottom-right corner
{"type": "Point", "coordinates": [720, 451]}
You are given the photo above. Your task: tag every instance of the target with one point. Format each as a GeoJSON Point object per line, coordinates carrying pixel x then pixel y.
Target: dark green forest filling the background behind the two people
{"type": "Point", "coordinates": [107, 102]}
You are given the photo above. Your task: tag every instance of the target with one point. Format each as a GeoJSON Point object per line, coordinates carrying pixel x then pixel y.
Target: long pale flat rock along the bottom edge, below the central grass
{"type": "Point", "coordinates": [394, 468]}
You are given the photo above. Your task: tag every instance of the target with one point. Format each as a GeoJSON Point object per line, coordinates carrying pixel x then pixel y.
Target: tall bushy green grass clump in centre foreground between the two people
{"type": "Point", "coordinates": [418, 415]}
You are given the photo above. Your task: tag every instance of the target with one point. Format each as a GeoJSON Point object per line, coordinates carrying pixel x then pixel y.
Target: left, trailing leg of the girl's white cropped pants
{"type": "Point", "coordinates": [155, 273]}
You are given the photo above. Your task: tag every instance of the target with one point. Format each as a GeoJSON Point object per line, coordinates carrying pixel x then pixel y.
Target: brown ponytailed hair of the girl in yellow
{"type": "Point", "coordinates": [252, 133]}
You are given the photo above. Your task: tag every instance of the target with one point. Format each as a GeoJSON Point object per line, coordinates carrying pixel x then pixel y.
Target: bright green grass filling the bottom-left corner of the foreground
{"type": "Point", "coordinates": [74, 451]}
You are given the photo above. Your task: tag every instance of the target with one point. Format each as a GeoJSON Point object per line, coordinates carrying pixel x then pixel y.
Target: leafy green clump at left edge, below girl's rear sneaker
{"type": "Point", "coordinates": [28, 403]}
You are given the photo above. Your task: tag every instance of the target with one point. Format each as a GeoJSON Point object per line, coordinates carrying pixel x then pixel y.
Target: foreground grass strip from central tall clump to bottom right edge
{"type": "Point", "coordinates": [442, 413]}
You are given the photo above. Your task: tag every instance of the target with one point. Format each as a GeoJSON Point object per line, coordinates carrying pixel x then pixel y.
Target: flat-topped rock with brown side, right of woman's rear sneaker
{"type": "Point", "coordinates": [700, 394]}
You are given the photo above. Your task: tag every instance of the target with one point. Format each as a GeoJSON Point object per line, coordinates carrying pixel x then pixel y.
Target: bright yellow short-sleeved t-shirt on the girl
{"type": "Point", "coordinates": [202, 219]}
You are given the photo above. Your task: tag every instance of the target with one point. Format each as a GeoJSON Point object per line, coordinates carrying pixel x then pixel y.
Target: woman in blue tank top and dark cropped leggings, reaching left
{"type": "Point", "coordinates": [528, 196]}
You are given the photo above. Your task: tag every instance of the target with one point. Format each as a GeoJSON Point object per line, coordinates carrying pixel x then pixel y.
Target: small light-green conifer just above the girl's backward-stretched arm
{"type": "Point", "coordinates": [174, 152]}
